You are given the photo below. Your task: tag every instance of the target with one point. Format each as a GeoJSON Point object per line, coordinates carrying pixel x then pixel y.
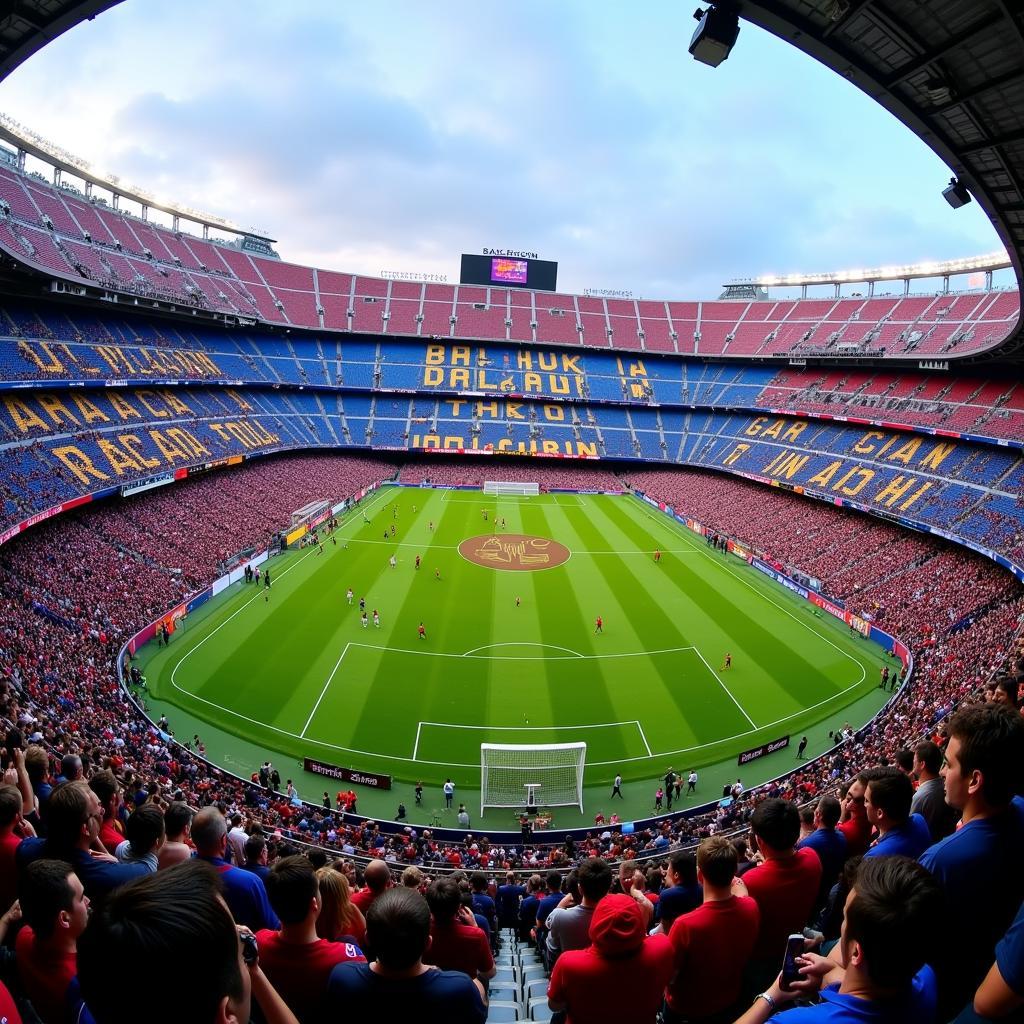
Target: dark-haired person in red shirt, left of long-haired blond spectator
{"type": "Point", "coordinates": [296, 960]}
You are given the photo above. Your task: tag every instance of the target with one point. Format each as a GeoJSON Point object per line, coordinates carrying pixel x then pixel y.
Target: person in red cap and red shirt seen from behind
{"type": "Point", "coordinates": [623, 973]}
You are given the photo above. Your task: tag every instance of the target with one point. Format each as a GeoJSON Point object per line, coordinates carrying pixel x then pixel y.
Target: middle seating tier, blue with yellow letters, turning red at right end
{"type": "Point", "coordinates": [66, 346]}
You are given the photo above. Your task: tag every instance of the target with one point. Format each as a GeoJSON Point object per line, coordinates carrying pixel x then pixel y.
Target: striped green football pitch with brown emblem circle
{"type": "Point", "coordinates": [511, 656]}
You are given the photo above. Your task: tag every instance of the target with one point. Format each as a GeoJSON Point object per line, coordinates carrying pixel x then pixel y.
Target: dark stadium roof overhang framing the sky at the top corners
{"type": "Point", "coordinates": [953, 71]}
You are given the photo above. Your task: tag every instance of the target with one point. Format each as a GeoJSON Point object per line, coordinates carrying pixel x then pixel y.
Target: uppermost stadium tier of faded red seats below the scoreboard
{"type": "Point", "coordinates": [46, 228]}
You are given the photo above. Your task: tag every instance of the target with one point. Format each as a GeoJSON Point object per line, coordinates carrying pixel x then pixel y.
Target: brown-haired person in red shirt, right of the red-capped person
{"type": "Point", "coordinates": [713, 944]}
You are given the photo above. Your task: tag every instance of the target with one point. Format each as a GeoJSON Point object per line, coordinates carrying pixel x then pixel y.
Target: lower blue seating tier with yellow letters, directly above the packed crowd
{"type": "Point", "coordinates": [57, 447]}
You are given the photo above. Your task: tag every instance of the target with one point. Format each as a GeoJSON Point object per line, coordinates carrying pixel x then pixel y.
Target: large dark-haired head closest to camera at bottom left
{"type": "Point", "coordinates": [177, 919]}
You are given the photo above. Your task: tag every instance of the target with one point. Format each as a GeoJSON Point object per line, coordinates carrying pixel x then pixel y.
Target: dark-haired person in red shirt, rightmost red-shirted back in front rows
{"type": "Point", "coordinates": [785, 886]}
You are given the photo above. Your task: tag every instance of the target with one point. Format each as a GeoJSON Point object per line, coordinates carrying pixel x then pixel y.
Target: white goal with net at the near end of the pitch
{"type": "Point", "coordinates": [541, 775]}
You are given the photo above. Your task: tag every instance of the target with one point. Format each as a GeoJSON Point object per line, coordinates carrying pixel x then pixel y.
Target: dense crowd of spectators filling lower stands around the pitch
{"type": "Point", "coordinates": [73, 590]}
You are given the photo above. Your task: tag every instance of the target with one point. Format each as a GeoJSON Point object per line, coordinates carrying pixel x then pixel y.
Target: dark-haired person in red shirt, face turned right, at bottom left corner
{"type": "Point", "coordinates": [56, 911]}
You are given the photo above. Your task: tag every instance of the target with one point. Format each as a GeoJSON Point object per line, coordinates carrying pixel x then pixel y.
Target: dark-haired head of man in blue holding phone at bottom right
{"type": "Point", "coordinates": [892, 916]}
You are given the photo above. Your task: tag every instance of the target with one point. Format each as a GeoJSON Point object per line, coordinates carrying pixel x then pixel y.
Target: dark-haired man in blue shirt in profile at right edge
{"type": "Point", "coordinates": [978, 867]}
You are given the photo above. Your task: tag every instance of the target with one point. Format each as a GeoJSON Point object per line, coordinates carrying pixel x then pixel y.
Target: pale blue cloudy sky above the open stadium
{"type": "Point", "coordinates": [397, 136]}
